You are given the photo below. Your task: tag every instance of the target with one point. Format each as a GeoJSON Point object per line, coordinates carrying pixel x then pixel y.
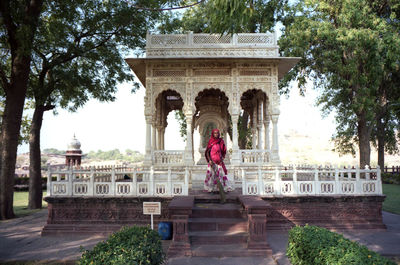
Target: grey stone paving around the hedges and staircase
{"type": "Point", "coordinates": [20, 240]}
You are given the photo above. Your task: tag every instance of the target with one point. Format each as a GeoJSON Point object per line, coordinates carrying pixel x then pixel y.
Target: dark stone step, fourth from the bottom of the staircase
{"type": "Point", "coordinates": [216, 210]}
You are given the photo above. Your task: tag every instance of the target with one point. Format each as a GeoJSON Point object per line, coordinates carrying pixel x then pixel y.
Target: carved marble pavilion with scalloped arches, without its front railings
{"type": "Point", "coordinates": [212, 79]}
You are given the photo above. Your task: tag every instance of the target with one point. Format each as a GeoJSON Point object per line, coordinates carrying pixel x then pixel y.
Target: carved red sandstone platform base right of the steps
{"type": "Point", "coordinates": [334, 212]}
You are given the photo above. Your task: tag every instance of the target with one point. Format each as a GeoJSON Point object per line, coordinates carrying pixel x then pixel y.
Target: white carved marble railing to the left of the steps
{"type": "Point", "coordinates": [116, 181]}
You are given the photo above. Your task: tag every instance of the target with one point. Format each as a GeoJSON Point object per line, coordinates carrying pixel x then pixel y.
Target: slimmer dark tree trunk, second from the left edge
{"type": "Point", "coordinates": [35, 172]}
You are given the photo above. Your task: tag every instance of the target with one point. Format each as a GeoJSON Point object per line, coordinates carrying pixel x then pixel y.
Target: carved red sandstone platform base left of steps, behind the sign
{"type": "Point", "coordinates": [104, 215]}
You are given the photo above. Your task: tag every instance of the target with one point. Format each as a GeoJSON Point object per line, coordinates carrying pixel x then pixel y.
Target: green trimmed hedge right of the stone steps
{"type": "Point", "coordinates": [315, 245]}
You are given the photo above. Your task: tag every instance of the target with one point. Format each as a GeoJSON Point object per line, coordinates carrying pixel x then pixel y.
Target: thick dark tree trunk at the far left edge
{"type": "Point", "coordinates": [18, 26]}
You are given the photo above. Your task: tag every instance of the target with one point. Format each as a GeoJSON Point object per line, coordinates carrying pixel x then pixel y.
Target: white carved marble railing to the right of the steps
{"type": "Point", "coordinates": [322, 181]}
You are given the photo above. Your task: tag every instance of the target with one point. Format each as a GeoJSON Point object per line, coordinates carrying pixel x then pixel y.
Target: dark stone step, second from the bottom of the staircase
{"type": "Point", "coordinates": [217, 237]}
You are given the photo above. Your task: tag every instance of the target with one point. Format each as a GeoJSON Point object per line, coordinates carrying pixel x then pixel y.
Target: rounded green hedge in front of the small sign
{"type": "Point", "coordinates": [130, 245]}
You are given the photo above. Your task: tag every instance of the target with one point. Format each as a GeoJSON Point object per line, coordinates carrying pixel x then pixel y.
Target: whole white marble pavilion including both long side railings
{"type": "Point", "coordinates": [212, 79]}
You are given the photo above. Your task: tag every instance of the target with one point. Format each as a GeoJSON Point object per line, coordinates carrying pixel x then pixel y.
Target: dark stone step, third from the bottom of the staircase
{"type": "Point", "coordinates": [218, 224]}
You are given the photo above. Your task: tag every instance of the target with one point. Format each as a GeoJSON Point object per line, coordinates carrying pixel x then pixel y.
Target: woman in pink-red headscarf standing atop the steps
{"type": "Point", "coordinates": [215, 154]}
